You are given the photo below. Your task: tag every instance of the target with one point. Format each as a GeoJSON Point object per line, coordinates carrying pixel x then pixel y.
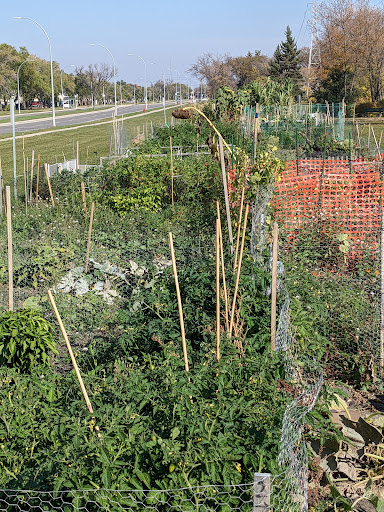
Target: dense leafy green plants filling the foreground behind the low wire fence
{"type": "Point", "coordinates": [159, 429]}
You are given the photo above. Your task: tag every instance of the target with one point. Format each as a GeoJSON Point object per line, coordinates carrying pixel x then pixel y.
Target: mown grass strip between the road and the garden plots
{"type": "Point", "coordinates": [94, 141]}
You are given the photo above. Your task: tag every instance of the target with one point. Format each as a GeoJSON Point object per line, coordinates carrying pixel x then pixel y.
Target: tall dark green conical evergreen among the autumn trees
{"type": "Point", "coordinates": [285, 63]}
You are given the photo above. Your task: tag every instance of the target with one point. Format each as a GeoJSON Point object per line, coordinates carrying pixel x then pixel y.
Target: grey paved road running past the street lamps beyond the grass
{"type": "Point", "coordinates": [71, 120]}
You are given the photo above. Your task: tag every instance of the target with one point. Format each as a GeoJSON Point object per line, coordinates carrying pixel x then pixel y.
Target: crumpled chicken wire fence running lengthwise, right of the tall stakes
{"type": "Point", "coordinates": [304, 375]}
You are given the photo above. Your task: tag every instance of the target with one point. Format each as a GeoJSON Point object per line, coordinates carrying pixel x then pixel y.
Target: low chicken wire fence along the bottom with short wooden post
{"type": "Point", "coordinates": [265, 494]}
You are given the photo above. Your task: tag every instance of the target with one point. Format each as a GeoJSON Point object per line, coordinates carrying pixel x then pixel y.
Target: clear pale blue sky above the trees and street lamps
{"type": "Point", "coordinates": [170, 33]}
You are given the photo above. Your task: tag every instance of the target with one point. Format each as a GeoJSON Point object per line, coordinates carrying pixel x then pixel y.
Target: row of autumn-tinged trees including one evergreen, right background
{"type": "Point", "coordinates": [347, 58]}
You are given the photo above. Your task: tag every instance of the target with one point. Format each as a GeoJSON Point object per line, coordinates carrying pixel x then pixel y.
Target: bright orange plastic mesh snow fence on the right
{"type": "Point", "coordinates": [346, 193]}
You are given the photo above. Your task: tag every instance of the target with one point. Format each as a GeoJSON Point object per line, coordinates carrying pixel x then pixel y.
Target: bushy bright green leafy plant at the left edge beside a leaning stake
{"type": "Point", "coordinates": [26, 339]}
